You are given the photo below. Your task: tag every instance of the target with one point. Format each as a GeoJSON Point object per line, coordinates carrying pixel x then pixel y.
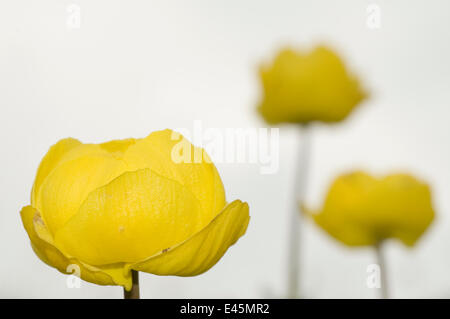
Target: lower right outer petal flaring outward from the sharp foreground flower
{"type": "Point", "coordinates": [203, 250]}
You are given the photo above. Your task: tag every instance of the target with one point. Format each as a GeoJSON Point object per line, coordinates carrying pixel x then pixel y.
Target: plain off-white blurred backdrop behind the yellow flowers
{"type": "Point", "coordinates": [137, 66]}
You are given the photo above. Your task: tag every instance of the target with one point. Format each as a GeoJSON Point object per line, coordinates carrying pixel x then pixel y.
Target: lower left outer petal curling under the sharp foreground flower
{"type": "Point", "coordinates": [54, 258]}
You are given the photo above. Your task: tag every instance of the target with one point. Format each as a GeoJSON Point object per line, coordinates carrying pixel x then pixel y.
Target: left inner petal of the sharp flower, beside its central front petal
{"type": "Point", "coordinates": [66, 187]}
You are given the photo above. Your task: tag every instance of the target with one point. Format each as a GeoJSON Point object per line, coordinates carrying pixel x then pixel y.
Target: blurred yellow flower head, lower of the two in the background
{"type": "Point", "coordinates": [362, 210]}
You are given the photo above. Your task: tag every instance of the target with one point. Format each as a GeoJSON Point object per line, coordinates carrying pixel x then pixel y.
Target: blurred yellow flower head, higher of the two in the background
{"type": "Point", "coordinates": [301, 87]}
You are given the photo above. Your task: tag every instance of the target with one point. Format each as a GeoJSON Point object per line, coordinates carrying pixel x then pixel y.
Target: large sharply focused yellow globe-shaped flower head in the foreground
{"type": "Point", "coordinates": [130, 205]}
